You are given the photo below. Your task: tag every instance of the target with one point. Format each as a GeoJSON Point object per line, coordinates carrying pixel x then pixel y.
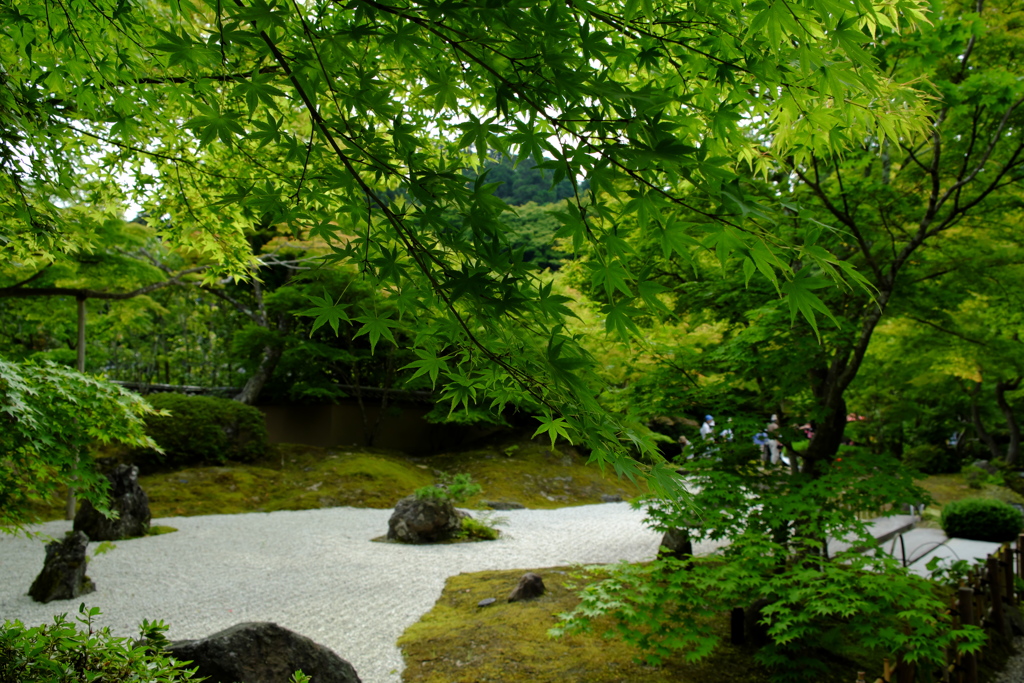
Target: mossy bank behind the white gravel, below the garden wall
{"type": "Point", "coordinates": [303, 478]}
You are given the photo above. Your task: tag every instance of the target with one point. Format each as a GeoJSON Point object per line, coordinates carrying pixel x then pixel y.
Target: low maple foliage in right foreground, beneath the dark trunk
{"type": "Point", "coordinates": [777, 524]}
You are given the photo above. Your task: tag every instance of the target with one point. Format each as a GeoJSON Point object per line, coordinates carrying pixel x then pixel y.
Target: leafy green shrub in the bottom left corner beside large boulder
{"type": "Point", "coordinates": [60, 653]}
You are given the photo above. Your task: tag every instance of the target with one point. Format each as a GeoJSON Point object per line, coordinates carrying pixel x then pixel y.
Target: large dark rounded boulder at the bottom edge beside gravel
{"type": "Point", "coordinates": [262, 653]}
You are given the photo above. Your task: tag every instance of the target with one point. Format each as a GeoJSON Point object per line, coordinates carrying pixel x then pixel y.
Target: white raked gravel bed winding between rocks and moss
{"type": "Point", "coordinates": [314, 572]}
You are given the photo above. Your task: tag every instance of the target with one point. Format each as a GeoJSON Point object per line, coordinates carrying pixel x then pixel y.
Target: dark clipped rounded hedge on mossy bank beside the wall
{"type": "Point", "coordinates": [203, 431]}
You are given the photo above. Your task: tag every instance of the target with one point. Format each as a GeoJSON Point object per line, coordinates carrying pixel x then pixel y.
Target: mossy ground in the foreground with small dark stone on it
{"type": "Point", "coordinates": [460, 643]}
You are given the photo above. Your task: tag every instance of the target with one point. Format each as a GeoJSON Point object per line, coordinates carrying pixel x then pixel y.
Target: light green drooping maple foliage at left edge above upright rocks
{"type": "Point", "coordinates": [50, 419]}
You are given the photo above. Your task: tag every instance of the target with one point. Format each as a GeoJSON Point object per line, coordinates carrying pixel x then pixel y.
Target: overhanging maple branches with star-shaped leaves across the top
{"type": "Point", "coordinates": [228, 115]}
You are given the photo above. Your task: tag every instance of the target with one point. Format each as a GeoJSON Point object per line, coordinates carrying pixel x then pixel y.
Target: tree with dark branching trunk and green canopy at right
{"type": "Point", "coordinates": [908, 214]}
